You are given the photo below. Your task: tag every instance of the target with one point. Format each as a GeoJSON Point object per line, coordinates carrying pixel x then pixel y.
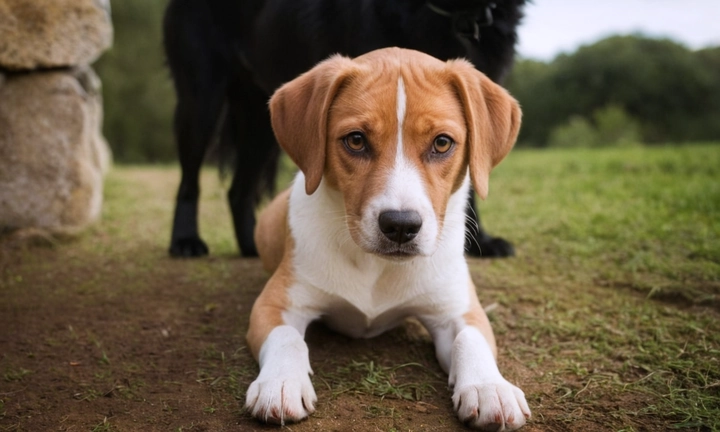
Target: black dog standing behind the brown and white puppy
{"type": "Point", "coordinates": [228, 56]}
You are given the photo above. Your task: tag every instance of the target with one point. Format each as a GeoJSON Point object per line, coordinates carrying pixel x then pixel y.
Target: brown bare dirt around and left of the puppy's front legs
{"type": "Point", "coordinates": [93, 345]}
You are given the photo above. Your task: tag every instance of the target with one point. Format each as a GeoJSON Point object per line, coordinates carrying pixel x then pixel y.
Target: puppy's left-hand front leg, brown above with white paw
{"type": "Point", "coordinates": [282, 391]}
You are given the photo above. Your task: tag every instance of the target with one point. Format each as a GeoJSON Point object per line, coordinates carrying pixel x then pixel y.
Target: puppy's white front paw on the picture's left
{"type": "Point", "coordinates": [281, 399]}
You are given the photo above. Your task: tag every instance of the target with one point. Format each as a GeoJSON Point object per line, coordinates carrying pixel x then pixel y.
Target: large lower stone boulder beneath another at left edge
{"type": "Point", "coordinates": [52, 152]}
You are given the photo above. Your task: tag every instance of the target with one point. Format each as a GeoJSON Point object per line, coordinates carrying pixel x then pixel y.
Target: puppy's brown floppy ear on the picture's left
{"type": "Point", "coordinates": [299, 114]}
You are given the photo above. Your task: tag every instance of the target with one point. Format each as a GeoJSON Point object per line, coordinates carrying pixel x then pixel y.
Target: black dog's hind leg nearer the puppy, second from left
{"type": "Point", "coordinates": [255, 162]}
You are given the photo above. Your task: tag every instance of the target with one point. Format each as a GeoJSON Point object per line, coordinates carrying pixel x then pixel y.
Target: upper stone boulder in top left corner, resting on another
{"type": "Point", "coordinates": [41, 34]}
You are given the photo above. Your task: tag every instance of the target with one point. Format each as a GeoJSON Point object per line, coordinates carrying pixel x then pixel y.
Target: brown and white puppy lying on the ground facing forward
{"type": "Point", "coordinates": [372, 230]}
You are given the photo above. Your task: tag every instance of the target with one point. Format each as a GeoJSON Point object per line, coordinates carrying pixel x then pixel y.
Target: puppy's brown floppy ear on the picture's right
{"type": "Point", "coordinates": [493, 121]}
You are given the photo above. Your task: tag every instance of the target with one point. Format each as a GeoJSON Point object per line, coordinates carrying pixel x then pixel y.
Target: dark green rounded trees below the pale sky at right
{"type": "Point", "coordinates": [670, 90]}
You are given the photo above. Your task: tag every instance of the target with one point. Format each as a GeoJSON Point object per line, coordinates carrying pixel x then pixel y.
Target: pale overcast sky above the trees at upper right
{"type": "Point", "coordinates": [554, 26]}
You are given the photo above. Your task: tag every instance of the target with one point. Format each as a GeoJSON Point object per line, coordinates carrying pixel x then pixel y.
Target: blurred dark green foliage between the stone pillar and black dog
{"type": "Point", "coordinates": [137, 89]}
